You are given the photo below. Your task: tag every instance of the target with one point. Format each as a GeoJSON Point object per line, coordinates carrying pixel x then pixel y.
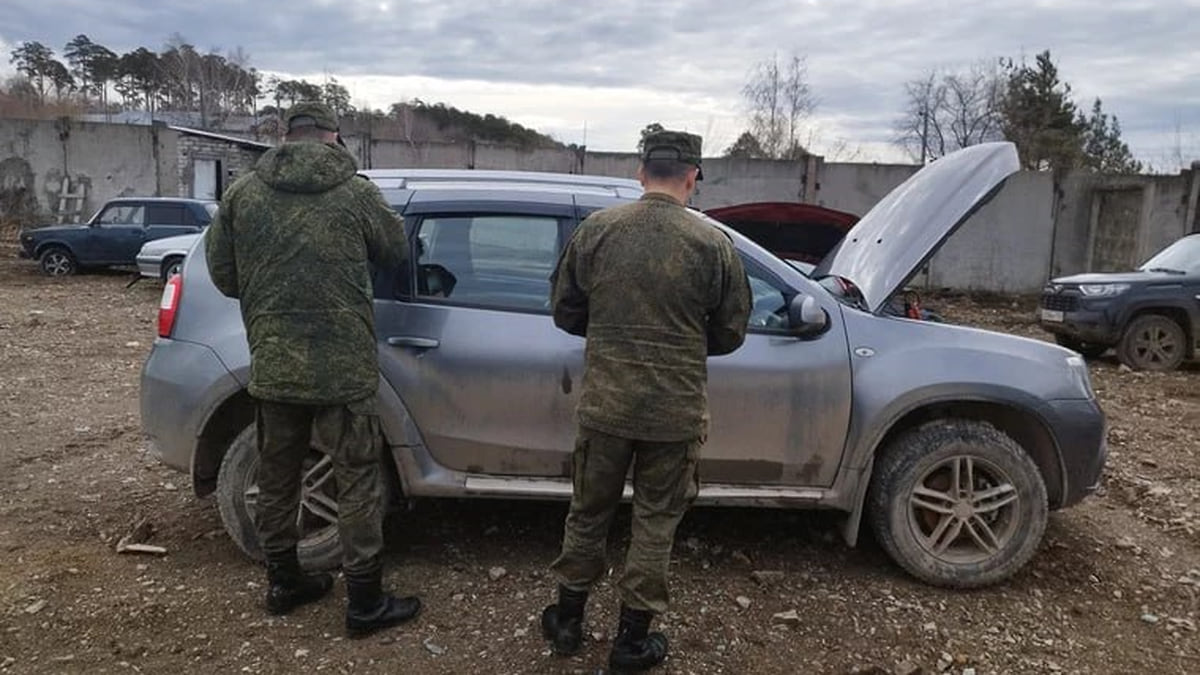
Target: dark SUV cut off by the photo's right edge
{"type": "Point", "coordinates": [1150, 315]}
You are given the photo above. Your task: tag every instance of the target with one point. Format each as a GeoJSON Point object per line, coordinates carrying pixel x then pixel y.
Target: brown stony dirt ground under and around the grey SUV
{"type": "Point", "coordinates": [1113, 590]}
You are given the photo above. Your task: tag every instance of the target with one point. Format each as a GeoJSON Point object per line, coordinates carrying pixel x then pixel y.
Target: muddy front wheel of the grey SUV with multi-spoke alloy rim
{"type": "Point", "coordinates": [975, 536]}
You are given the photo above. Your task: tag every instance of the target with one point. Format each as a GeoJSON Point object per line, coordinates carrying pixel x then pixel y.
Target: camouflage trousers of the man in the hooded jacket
{"type": "Point", "coordinates": [351, 438]}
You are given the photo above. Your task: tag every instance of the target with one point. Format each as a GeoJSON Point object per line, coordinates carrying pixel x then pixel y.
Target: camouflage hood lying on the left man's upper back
{"type": "Point", "coordinates": [305, 168]}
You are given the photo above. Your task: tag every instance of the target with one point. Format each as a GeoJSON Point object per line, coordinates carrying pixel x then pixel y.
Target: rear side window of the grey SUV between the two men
{"type": "Point", "coordinates": [488, 261]}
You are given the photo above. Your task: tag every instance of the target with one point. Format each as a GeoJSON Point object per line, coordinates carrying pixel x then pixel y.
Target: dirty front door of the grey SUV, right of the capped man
{"type": "Point", "coordinates": [781, 405]}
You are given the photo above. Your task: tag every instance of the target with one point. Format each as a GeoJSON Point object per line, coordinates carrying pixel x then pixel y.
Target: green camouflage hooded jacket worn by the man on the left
{"type": "Point", "coordinates": [292, 241]}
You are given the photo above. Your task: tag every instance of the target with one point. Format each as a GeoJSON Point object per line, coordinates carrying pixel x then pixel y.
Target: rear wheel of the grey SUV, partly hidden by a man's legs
{"type": "Point", "coordinates": [238, 494]}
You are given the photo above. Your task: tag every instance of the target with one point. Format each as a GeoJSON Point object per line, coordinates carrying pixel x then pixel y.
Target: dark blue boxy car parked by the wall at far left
{"type": "Point", "coordinates": [116, 235]}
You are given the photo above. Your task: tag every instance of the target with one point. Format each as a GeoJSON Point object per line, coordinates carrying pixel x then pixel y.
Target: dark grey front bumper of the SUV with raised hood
{"type": "Point", "coordinates": [1082, 431]}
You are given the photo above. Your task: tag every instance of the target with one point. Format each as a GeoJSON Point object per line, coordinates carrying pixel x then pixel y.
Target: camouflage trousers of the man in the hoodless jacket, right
{"type": "Point", "coordinates": [667, 481]}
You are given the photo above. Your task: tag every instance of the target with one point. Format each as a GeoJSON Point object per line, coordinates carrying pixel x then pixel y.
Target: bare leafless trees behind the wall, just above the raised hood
{"type": "Point", "coordinates": [949, 111]}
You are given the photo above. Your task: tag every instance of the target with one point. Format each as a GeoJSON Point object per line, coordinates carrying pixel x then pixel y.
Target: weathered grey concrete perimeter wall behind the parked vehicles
{"type": "Point", "coordinates": [1041, 225]}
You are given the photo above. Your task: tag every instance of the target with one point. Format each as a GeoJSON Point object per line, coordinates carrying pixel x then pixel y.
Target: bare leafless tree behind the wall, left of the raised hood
{"type": "Point", "coordinates": [779, 100]}
